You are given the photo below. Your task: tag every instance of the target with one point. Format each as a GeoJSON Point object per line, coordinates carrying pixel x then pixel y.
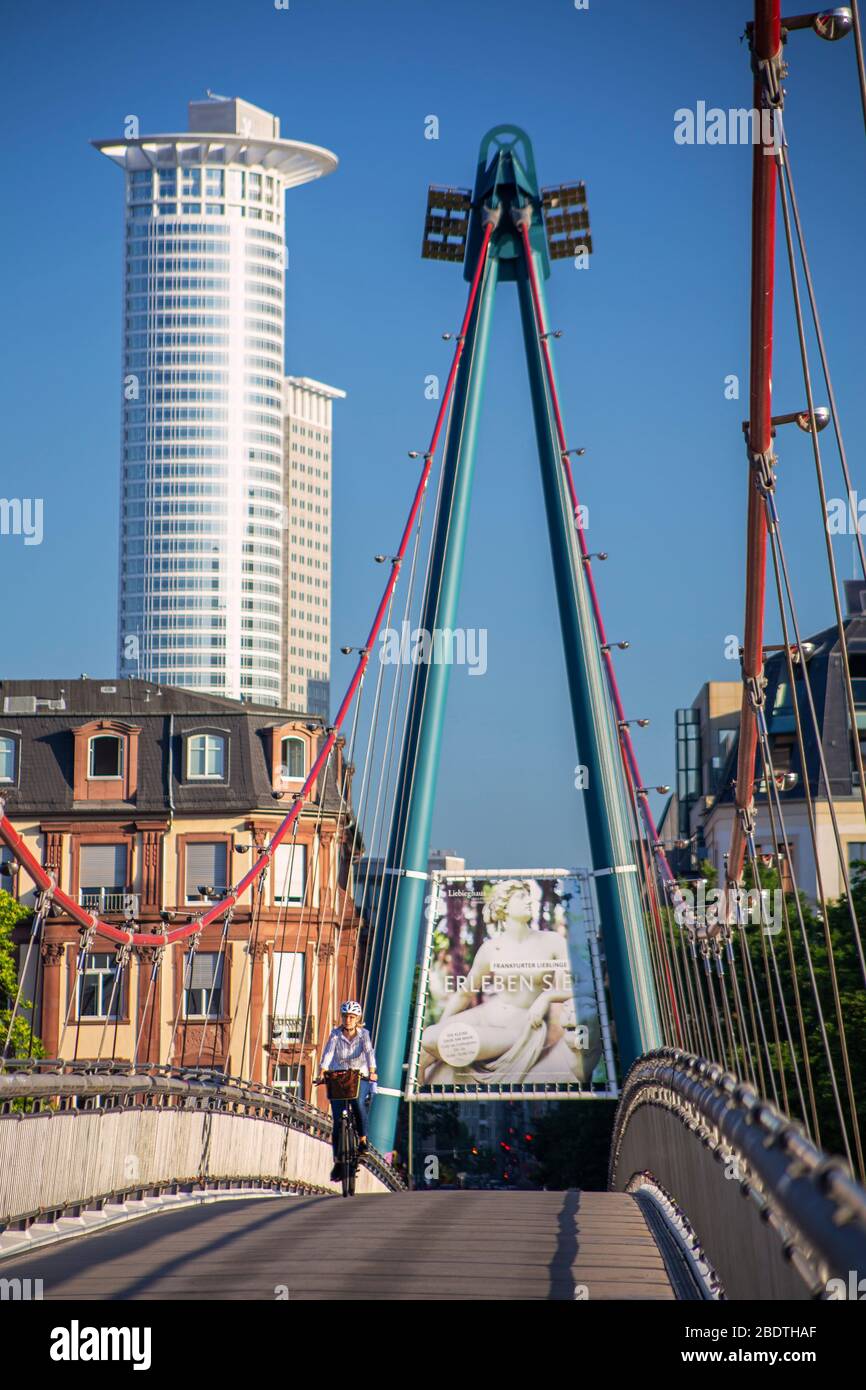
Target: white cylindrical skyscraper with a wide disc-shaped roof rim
{"type": "Point", "coordinates": [204, 584]}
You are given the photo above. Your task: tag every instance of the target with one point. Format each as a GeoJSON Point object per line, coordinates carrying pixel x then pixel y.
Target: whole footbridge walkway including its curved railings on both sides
{"type": "Point", "coordinates": [165, 1185]}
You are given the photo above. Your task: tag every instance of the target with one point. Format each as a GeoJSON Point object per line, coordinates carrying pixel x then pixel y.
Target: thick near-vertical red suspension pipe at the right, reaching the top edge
{"type": "Point", "coordinates": [767, 51]}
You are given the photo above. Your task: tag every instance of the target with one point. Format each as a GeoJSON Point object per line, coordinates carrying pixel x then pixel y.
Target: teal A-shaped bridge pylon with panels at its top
{"type": "Point", "coordinates": [509, 231]}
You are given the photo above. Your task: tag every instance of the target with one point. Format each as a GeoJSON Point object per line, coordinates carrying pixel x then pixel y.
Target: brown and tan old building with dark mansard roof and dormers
{"type": "Point", "coordinates": [147, 803]}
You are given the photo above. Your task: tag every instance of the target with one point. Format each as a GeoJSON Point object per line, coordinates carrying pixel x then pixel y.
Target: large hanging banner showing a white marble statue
{"type": "Point", "coordinates": [511, 993]}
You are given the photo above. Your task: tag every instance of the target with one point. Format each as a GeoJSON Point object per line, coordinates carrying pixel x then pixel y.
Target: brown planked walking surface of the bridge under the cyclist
{"type": "Point", "coordinates": [405, 1246]}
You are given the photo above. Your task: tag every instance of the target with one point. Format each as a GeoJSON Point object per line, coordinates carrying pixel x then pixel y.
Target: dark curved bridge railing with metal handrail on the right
{"type": "Point", "coordinates": [687, 1128]}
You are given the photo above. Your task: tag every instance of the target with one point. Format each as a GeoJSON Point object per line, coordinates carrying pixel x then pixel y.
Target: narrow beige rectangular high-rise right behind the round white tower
{"type": "Point", "coordinates": [308, 543]}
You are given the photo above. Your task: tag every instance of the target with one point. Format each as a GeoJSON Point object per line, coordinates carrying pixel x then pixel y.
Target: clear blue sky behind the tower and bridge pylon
{"type": "Point", "coordinates": [651, 333]}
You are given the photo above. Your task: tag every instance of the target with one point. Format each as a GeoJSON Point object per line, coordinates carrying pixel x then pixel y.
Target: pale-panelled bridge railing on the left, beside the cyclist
{"type": "Point", "coordinates": [76, 1138]}
